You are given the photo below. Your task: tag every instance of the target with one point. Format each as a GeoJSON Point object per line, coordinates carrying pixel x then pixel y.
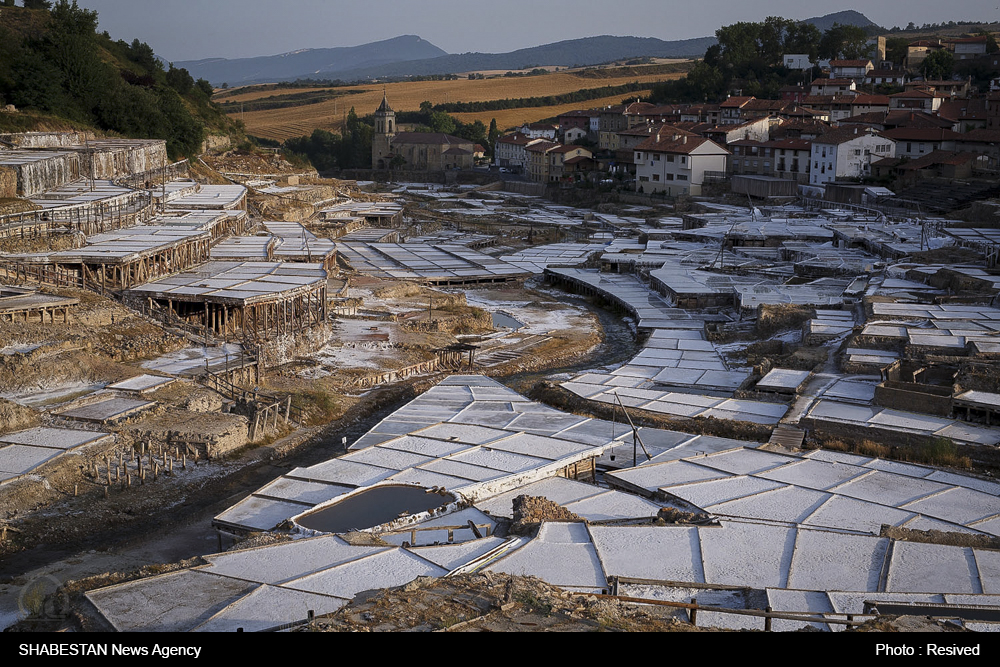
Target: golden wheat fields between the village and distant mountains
{"type": "Point", "coordinates": [281, 124]}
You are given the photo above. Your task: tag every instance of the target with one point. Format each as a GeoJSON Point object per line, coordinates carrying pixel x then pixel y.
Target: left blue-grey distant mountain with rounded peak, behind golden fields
{"type": "Point", "coordinates": [311, 63]}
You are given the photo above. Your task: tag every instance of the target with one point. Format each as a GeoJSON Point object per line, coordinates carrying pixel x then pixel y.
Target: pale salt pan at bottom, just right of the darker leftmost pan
{"type": "Point", "coordinates": [267, 607]}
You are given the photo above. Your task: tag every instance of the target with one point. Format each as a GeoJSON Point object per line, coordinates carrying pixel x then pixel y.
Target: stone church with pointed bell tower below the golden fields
{"type": "Point", "coordinates": [421, 151]}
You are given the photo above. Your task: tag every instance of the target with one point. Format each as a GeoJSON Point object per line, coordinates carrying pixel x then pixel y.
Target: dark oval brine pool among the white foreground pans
{"type": "Point", "coordinates": [373, 507]}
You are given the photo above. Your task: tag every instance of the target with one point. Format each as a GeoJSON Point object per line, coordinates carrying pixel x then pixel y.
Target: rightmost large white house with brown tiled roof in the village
{"type": "Point", "coordinates": [847, 153]}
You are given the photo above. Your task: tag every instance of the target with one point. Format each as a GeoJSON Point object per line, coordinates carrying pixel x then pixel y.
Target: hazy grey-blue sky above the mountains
{"type": "Point", "coordinates": [194, 29]}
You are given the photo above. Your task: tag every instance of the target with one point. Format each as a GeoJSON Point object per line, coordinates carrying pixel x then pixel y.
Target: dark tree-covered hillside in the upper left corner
{"type": "Point", "coordinates": [59, 72]}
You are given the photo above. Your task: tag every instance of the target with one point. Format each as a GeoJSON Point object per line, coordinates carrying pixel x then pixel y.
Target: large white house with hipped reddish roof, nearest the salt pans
{"type": "Point", "coordinates": [676, 165]}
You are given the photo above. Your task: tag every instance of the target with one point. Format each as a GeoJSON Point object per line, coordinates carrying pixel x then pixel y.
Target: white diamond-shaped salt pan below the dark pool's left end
{"type": "Point", "coordinates": [386, 569]}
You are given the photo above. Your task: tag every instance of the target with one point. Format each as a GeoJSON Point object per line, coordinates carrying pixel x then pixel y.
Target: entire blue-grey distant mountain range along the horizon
{"type": "Point", "coordinates": [410, 55]}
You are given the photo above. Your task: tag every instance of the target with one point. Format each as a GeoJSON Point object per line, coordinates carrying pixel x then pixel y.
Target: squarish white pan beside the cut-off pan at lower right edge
{"type": "Point", "coordinates": [932, 568]}
